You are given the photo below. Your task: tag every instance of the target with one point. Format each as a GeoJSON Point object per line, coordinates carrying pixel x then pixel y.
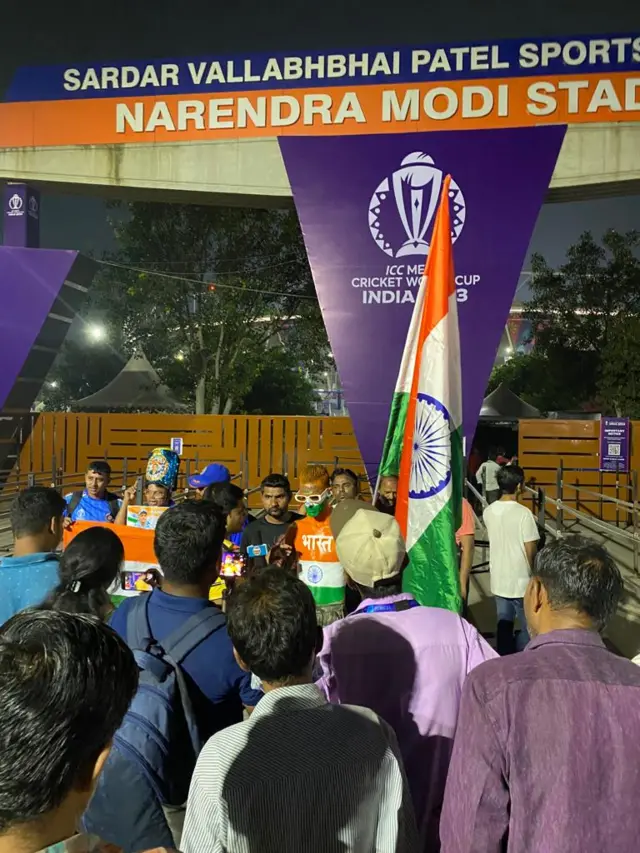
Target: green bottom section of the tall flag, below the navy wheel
{"type": "Point", "coordinates": [432, 575]}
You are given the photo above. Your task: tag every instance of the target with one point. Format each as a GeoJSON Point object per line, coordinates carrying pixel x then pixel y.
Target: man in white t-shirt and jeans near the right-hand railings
{"type": "Point", "coordinates": [513, 542]}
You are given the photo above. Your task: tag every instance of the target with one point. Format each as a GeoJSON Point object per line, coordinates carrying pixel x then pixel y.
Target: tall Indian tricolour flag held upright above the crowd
{"type": "Point", "coordinates": [424, 438]}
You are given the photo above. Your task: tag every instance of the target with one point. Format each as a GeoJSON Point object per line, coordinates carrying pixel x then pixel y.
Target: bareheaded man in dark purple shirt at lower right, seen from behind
{"type": "Point", "coordinates": [547, 752]}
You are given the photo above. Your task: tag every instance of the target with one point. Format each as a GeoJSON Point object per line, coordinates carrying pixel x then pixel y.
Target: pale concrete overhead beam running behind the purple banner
{"type": "Point", "coordinates": [596, 160]}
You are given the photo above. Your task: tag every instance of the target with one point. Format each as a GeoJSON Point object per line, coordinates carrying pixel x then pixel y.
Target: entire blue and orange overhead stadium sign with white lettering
{"type": "Point", "coordinates": [503, 84]}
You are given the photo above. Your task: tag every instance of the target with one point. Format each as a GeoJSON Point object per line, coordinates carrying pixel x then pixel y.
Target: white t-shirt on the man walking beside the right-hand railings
{"type": "Point", "coordinates": [509, 525]}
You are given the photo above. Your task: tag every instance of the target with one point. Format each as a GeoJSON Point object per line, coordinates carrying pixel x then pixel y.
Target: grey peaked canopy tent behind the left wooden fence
{"type": "Point", "coordinates": [137, 388]}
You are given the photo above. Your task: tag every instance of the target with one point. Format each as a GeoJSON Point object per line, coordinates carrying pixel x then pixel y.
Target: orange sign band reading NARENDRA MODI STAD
{"type": "Point", "coordinates": [456, 105]}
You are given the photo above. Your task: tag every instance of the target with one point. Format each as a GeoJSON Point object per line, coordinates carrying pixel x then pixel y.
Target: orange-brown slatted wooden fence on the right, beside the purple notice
{"type": "Point", "coordinates": [546, 445]}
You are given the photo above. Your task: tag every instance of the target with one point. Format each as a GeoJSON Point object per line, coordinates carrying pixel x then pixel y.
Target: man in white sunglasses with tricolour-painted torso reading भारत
{"type": "Point", "coordinates": [320, 568]}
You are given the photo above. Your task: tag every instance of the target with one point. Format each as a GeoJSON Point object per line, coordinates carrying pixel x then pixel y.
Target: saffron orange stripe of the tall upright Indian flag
{"type": "Point", "coordinates": [440, 285]}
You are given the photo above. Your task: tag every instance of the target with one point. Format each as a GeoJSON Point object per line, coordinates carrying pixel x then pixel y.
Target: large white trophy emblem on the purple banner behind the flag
{"type": "Point", "coordinates": [403, 207]}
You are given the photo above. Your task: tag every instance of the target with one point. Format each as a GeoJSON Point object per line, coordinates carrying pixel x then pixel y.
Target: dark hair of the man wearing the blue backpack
{"type": "Point", "coordinates": [188, 540]}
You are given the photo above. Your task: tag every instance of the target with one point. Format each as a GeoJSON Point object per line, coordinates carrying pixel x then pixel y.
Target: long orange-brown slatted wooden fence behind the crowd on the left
{"type": "Point", "coordinates": [251, 444]}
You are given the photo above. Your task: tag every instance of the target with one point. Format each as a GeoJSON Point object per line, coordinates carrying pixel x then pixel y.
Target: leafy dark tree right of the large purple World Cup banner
{"type": "Point", "coordinates": [577, 312]}
